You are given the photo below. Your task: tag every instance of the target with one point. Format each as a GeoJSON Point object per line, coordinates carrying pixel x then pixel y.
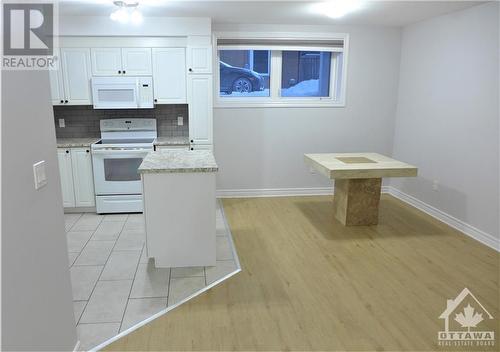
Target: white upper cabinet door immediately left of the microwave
{"type": "Point", "coordinates": [76, 76]}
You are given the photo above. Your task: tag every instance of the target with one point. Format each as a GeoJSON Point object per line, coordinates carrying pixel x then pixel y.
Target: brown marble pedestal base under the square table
{"type": "Point", "coordinates": [356, 201]}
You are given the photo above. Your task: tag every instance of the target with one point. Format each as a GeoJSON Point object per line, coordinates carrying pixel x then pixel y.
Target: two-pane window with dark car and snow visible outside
{"type": "Point", "coordinates": [280, 72]}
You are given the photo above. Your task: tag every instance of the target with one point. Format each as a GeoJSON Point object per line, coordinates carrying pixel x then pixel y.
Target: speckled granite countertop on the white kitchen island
{"type": "Point", "coordinates": [170, 161]}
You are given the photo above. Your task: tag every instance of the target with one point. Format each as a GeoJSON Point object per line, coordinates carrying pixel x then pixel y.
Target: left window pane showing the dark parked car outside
{"type": "Point", "coordinates": [244, 73]}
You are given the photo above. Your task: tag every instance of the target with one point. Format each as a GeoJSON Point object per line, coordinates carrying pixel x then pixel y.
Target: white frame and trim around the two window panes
{"type": "Point", "coordinates": [275, 99]}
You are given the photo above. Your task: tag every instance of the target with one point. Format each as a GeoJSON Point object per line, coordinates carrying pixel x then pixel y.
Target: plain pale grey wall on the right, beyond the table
{"type": "Point", "coordinates": [447, 117]}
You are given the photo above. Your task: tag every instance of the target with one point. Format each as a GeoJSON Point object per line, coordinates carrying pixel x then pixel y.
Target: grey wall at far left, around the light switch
{"type": "Point", "coordinates": [37, 308]}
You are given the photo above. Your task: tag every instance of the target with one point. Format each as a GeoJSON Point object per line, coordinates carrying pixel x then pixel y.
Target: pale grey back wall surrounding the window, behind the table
{"type": "Point", "coordinates": [262, 148]}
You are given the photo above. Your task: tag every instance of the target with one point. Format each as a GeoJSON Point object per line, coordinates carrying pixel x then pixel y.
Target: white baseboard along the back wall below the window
{"type": "Point", "coordinates": [278, 192]}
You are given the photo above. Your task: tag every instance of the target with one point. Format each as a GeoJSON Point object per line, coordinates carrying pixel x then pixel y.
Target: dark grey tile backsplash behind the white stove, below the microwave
{"type": "Point", "coordinates": [83, 120]}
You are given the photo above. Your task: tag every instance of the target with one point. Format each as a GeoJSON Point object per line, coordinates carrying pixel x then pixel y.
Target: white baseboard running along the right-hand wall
{"type": "Point", "coordinates": [469, 230]}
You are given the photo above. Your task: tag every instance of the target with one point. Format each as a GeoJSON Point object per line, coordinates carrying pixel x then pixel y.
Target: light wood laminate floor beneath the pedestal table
{"type": "Point", "coordinates": [309, 283]}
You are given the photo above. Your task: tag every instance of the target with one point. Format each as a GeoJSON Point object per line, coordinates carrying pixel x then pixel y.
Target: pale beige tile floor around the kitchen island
{"type": "Point", "coordinates": [115, 285]}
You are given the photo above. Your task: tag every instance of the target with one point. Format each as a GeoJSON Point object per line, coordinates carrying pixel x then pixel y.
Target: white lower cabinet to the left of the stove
{"type": "Point", "coordinates": [77, 180]}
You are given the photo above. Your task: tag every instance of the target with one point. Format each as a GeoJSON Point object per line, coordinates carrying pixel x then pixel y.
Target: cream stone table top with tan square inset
{"type": "Point", "coordinates": [358, 165]}
